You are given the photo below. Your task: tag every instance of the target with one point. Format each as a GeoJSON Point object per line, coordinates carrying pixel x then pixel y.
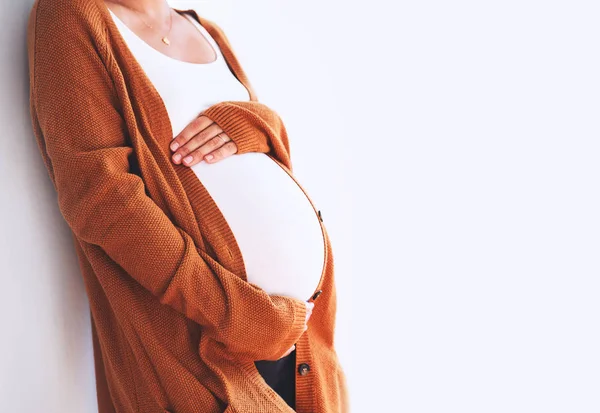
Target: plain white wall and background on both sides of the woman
{"type": "Point", "coordinates": [453, 148]}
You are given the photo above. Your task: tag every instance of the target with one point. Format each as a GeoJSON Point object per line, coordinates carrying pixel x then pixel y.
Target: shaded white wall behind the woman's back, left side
{"type": "Point", "coordinates": [45, 346]}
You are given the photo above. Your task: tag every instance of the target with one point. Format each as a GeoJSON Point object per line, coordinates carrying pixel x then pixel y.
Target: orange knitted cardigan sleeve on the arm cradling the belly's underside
{"type": "Point", "coordinates": [83, 141]}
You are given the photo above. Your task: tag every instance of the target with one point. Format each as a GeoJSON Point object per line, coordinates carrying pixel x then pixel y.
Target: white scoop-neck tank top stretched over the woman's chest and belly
{"type": "Point", "coordinates": [273, 221]}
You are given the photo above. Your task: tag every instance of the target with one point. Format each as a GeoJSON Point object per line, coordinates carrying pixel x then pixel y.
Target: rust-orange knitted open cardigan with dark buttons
{"type": "Point", "coordinates": [176, 326]}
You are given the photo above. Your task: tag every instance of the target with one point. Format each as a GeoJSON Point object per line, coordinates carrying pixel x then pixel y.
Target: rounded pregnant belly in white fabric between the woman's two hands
{"type": "Point", "coordinates": [274, 222]}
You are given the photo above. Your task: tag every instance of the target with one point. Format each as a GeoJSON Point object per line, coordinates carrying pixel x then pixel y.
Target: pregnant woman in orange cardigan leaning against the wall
{"type": "Point", "coordinates": [208, 269]}
